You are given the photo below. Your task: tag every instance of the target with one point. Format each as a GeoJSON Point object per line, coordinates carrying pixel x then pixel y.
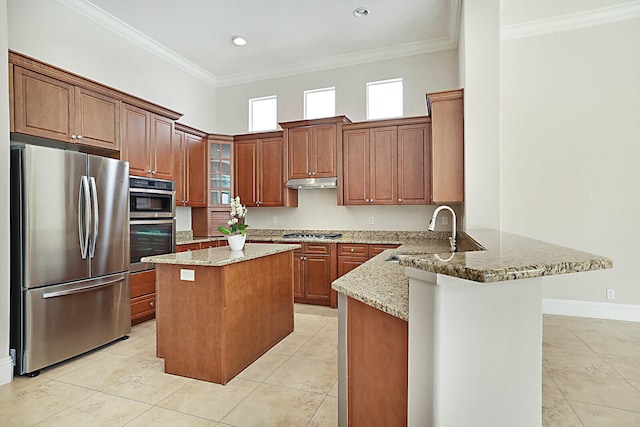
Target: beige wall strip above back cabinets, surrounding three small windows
{"type": "Point", "coordinates": [420, 74]}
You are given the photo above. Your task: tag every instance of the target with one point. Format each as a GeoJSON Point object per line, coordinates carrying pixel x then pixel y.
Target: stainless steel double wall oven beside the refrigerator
{"type": "Point", "coordinates": [152, 213]}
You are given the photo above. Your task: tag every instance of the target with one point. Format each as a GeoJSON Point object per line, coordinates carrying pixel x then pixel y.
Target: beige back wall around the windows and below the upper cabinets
{"type": "Point", "coordinates": [318, 209]}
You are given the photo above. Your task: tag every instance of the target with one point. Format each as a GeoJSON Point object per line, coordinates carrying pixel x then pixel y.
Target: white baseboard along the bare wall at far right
{"type": "Point", "coordinates": [598, 310]}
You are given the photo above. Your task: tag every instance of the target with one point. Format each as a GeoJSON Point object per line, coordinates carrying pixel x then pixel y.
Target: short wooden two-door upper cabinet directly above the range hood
{"type": "Point", "coordinates": [314, 147]}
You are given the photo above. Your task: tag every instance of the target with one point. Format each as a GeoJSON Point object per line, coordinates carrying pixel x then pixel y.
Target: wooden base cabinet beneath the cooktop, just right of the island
{"type": "Point", "coordinates": [314, 268]}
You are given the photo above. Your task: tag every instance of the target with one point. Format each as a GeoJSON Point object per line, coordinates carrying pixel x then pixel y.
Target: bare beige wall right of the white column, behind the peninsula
{"type": "Point", "coordinates": [570, 150]}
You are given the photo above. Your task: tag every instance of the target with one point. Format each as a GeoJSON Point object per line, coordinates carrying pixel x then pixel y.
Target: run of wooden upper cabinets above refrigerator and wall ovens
{"type": "Point", "coordinates": [48, 102]}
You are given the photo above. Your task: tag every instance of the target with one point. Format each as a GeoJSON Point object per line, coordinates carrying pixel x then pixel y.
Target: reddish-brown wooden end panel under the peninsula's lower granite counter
{"type": "Point", "coordinates": [377, 380]}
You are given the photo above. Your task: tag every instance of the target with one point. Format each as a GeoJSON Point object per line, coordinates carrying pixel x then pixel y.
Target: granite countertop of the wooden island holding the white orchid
{"type": "Point", "coordinates": [218, 257]}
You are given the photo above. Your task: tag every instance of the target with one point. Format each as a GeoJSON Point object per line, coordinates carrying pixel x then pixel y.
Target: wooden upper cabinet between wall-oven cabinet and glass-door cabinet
{"type": "Point", "coordinates": [190, 166]}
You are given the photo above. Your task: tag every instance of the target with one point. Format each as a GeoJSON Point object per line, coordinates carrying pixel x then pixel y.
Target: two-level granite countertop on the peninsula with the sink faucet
{"type": "Point", "coordinates": [505, 256]}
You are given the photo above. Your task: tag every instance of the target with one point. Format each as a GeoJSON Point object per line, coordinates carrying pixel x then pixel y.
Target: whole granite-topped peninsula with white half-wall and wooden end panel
{"type": "Point", "coordinates": [458, 337]}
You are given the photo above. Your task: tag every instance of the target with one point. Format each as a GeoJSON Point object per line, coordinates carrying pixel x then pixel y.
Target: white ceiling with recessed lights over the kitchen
{"type": "Point", "coordinates": [285, 37]}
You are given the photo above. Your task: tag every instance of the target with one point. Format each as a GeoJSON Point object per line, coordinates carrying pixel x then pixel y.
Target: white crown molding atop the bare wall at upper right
{"type": "Point", "coordinates": [574, 21]}
